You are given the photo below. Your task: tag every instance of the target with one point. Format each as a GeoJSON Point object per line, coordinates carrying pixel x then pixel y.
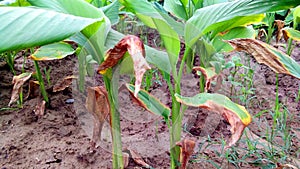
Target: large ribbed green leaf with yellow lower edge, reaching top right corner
{"type": "Point", "coordinates": [215, 17]}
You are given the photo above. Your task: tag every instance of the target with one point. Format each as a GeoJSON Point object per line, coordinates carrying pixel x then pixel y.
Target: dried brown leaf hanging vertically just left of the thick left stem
{"type": "Point", "coordinates": [97, 103]}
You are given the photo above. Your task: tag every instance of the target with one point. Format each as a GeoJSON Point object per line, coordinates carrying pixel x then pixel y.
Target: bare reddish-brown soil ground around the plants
{"type": "Point", "coordinates": [61, 138]}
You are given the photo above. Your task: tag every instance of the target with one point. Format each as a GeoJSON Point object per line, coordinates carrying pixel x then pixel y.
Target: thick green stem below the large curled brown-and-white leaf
{"type": "Point", "coordinates": [115, 124]}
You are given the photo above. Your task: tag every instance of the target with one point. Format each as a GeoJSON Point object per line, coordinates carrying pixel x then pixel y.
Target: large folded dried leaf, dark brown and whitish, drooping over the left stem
{"type": "Point", "coordinates": [135, 47]}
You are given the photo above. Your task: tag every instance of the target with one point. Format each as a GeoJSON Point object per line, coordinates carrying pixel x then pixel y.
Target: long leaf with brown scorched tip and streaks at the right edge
{"type": "Point", "coordinates": [266, 54]}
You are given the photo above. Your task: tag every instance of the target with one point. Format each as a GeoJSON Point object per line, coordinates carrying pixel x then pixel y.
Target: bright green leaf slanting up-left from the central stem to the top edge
{"type": "Point", "coordinates": [152, 18]}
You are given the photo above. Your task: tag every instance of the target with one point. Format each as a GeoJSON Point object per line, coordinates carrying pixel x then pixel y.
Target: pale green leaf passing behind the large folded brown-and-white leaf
{"type": "Point", "coordinates": [157, 58]}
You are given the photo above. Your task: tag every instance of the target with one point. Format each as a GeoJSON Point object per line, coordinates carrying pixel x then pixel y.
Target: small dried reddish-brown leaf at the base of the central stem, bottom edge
{"type": "Point", "coordinates": [186, 150]}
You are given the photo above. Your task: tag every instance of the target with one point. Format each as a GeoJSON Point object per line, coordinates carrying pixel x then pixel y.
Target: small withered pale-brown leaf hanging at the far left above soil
{"type": "Point", "coordinates": [18, 82]}
